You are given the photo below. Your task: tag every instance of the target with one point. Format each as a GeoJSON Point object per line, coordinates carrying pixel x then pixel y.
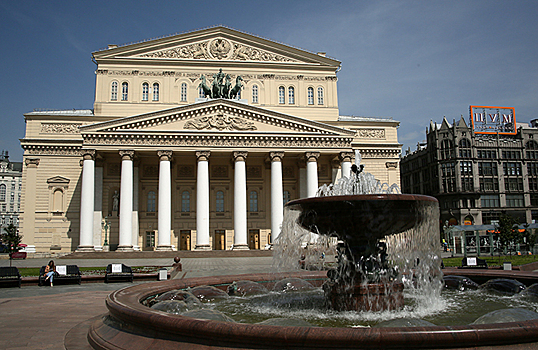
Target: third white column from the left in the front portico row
{"type": "Point", "coordinates": [165, 201]}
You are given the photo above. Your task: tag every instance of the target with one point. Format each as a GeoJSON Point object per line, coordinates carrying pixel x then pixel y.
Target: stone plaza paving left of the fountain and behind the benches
{"type": "Point", "coordinates": [58, 318]}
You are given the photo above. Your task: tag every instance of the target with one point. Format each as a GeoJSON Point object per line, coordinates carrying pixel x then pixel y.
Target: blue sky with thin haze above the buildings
{"type": "Point", "coordinates": [414, 61]}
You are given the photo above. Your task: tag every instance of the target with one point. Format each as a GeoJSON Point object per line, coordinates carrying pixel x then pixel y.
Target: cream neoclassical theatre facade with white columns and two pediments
{"type": "Point", "coordinates": [195, 142]}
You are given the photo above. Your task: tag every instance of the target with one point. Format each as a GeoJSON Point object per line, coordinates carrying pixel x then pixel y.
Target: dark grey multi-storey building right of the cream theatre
{"type": "Point", "coordinates": [476, 176]}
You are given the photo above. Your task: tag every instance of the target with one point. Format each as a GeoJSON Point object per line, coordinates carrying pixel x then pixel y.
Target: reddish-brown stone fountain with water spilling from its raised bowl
{"type": "Point", "coordinates": [383, 244]}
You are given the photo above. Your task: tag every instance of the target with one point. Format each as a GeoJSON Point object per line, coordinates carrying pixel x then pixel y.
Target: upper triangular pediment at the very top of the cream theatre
{"type": "Point", "coordinates": [215, 44]}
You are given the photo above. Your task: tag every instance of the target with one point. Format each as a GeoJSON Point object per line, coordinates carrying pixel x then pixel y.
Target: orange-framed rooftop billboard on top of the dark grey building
{"type": "Point", "coordinates": [493, 120]}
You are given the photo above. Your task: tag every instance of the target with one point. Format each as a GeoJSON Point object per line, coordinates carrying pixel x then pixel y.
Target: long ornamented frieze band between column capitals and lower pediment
{"type": "Point", "coordinates": [222, 141]}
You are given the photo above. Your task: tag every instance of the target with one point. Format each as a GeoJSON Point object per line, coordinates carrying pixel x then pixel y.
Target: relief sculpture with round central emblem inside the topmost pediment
{"type": "Point", "coordinates": [219, 49]}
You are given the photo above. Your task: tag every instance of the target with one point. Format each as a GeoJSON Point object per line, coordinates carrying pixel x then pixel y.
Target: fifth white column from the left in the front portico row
{"type": "Point", "coordinates": [240, 201]}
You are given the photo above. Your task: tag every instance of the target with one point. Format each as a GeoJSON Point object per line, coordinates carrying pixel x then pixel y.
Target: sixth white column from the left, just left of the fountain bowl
{"type": "Point", "coordinates": [277, 199]}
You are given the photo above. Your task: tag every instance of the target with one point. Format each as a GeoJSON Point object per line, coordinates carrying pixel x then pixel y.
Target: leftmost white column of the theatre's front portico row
{"type": "Point", "coordinates": [87, 201]}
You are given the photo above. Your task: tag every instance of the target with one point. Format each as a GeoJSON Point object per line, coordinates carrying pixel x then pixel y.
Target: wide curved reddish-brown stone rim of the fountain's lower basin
{"type": "Point", "coordinates": [131, 325]}
